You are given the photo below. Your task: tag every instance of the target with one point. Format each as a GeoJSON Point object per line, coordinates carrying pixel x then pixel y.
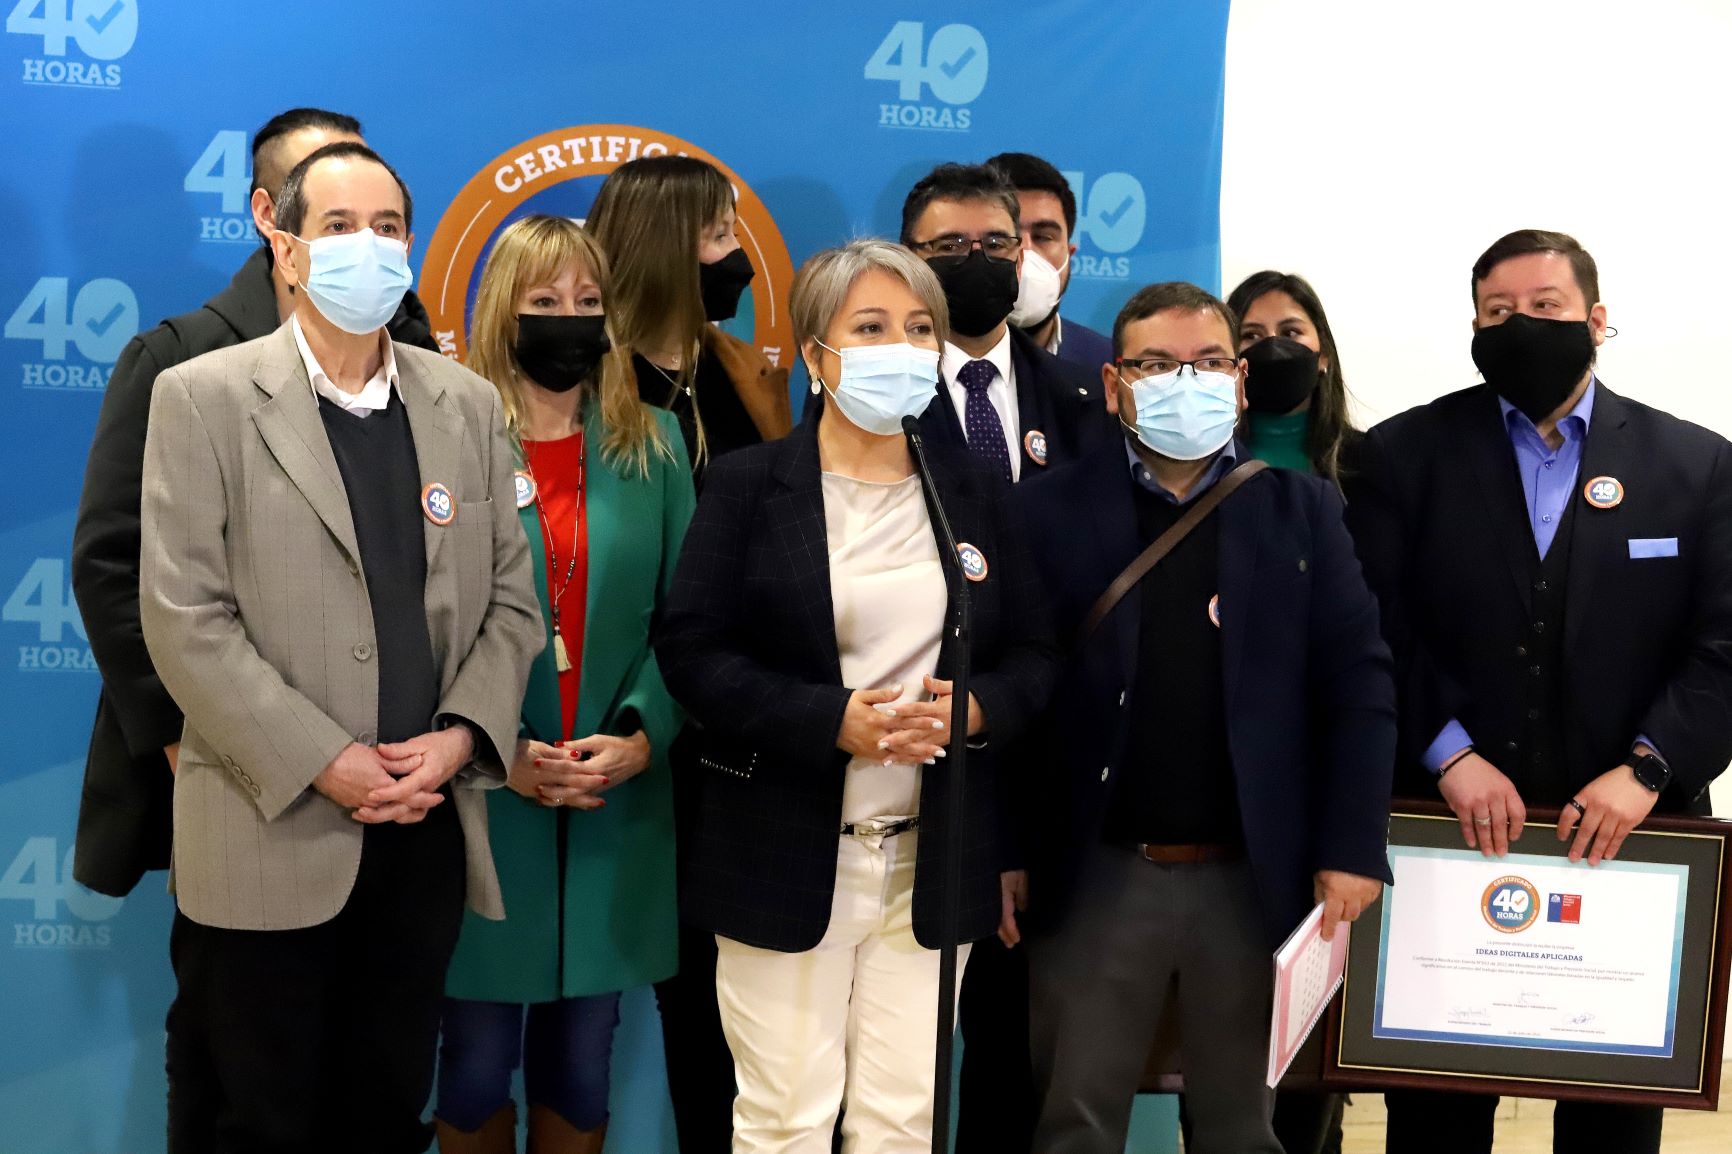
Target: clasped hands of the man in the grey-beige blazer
{"type": "Point", "coordinates": [397, 782]}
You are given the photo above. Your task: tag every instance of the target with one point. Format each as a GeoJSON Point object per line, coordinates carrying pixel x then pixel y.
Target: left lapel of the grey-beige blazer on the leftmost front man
{"type": "Point", "coordinates": [292, 429]}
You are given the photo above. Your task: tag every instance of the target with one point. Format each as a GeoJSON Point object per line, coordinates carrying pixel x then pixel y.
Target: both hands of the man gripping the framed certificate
{"type": "Point", "coordinates": [1492, 812]}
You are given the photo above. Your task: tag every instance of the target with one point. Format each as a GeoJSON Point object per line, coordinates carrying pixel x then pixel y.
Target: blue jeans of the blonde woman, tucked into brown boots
{"type": "Point", "coordinates": [565, 1051]}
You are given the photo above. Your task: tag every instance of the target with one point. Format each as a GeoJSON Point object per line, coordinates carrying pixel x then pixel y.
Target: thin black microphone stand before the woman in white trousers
{"type": "Point", "coordinates": [957, 762]}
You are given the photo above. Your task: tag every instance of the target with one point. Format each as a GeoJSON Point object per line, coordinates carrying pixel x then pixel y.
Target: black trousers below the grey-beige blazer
{"type": "Point", "coordinates": [323, 1039]}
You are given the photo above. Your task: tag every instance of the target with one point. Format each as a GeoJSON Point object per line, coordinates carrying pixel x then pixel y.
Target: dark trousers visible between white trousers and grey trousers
{"type": "Point", "coordinates": [995, 1106]}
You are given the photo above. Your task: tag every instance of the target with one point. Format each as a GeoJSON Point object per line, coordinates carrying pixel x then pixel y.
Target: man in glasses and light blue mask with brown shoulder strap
{"type": "Point", "coordinates": [1218, 755]}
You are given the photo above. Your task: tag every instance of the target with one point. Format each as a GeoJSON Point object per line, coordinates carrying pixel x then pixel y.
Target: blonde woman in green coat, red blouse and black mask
{"type": "Point", "coordinates": [585, 834]}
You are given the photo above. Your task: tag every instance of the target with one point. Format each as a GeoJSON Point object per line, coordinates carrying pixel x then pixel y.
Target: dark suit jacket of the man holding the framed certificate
{"type": "Point", "coordinates": [1442, 524]}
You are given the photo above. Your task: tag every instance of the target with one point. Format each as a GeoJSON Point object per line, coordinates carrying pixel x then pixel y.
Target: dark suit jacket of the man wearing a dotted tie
{"type": "Point", "coordinates": [1054, 398]}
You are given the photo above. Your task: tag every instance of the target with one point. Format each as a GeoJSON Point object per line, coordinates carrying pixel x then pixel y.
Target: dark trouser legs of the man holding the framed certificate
{"type": "Point", "coordinates": [1430, 1122]}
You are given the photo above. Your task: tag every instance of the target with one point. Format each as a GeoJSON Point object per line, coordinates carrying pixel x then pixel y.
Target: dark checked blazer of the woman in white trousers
{"type": "Point", "coordinates": [747, 645]}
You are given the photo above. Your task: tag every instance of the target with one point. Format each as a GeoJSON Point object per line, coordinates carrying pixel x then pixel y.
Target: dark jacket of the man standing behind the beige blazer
{"type": "Point", "coordinates": [126, 812]}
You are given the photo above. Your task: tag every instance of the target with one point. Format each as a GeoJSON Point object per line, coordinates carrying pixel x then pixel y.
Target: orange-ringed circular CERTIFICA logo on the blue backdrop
{"type": "Point", "coordinates": [560, 174]}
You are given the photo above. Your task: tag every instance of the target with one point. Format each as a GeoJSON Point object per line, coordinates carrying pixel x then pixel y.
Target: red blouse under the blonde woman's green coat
{"type": "Point", "coordinates": [559, 472]}
